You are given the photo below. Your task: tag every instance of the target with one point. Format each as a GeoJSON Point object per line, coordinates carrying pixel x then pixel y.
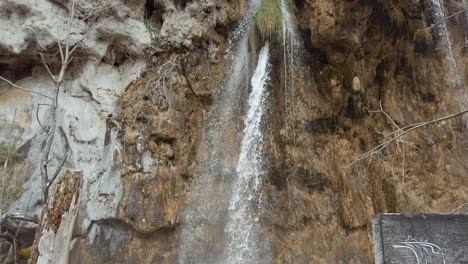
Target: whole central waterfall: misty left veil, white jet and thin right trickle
{"type": "Point", "coordinates": [221, 220]}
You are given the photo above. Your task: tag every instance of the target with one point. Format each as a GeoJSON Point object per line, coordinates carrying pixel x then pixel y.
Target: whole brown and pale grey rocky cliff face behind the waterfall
{"type": "Point", "coordinates": [143, 81]}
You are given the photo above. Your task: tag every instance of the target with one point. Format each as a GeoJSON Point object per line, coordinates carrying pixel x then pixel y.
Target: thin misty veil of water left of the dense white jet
{"type": "Point", "coordinates": [204, 216]}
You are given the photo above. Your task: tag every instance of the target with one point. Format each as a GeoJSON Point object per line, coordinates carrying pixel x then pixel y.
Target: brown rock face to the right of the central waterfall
{"type": "Point", "coordinates": [361, 53]}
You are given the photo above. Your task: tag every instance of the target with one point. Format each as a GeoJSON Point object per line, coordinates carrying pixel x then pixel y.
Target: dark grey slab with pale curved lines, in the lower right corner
{"type": "Point", "coordinates": [420, 238]}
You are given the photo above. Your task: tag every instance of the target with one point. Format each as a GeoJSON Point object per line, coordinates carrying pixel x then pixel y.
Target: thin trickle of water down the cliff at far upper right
{"type": "Point", "coordinates": [447, 45]}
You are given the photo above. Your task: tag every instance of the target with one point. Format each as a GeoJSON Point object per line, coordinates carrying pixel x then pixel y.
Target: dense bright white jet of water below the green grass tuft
{"type": "Point", "coordinates": [244, 244]}
